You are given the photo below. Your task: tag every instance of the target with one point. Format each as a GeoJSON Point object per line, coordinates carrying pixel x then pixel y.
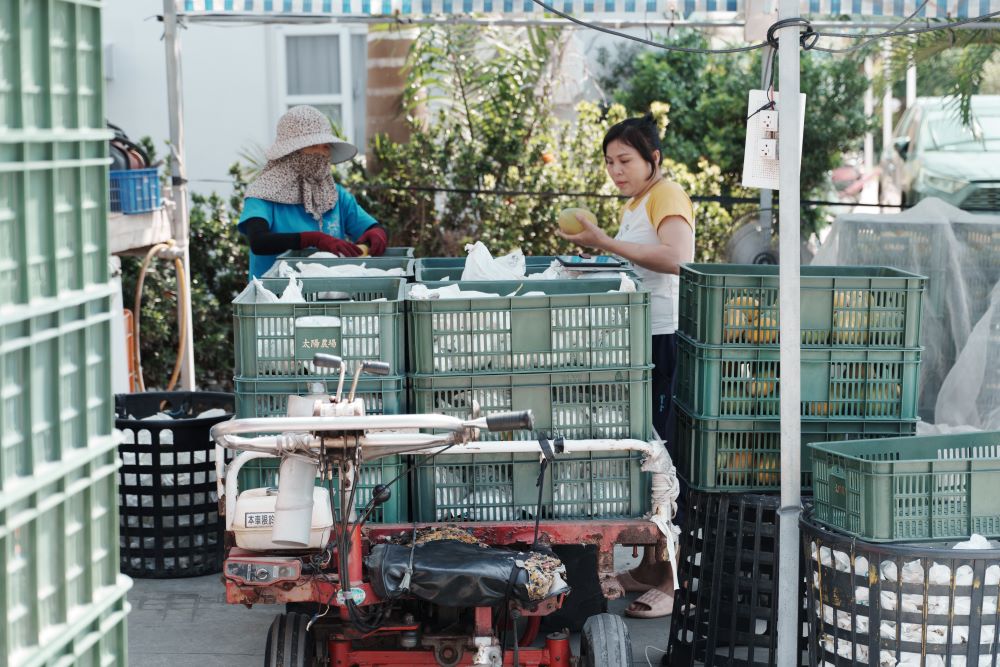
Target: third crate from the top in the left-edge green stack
{"type": "Point", "coordinates": [56, 377]}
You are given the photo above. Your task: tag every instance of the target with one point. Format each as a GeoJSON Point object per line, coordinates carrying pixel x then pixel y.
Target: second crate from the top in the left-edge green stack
{"type": "Point", "coordinates": [53, 218]}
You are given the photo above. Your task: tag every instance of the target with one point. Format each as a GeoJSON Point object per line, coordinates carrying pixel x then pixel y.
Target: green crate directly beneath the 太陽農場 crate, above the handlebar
{"type": "Point", "coordinates": [269, 398]}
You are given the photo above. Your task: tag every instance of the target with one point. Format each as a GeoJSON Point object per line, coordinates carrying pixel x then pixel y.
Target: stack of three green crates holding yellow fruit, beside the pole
{"type": "Point", "coordinates": [860, 359]}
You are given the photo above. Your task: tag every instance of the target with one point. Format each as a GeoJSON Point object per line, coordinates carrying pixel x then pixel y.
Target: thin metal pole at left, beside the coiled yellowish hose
{"type": "Point", "coordinates": [178, 185]}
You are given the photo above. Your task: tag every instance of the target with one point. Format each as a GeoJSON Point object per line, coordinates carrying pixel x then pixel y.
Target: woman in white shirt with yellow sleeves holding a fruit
{"type": "Point", "coordinates": [657, 235]}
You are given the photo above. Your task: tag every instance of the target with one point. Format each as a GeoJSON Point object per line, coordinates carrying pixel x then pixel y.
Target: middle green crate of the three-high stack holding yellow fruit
{"type": "Point", "coordinates": [721, 381]}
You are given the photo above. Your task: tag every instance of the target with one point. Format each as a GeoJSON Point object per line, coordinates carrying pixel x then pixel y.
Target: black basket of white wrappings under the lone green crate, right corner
{"type": "Point", "coordinates": [935, 605]}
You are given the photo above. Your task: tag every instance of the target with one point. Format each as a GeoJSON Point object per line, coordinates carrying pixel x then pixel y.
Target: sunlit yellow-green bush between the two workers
{"type": "Point", "coordinates": [478, 104]}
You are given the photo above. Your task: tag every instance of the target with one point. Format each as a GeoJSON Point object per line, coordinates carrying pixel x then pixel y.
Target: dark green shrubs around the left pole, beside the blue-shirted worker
{"type": "Point", "coordinates": [219, 261]}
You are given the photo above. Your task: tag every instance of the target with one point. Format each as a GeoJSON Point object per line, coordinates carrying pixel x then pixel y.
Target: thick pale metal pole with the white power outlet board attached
{"type": "Point", "coordinates": [789, 150]}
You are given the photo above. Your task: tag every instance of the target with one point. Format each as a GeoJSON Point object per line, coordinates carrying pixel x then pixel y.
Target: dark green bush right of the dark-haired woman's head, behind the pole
{"type": "Point", "coordinates": [707, 94]}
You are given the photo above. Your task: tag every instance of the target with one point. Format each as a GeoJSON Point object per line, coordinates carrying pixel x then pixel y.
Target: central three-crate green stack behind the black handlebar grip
{"type": "Point", "coordinates": [576, 353]}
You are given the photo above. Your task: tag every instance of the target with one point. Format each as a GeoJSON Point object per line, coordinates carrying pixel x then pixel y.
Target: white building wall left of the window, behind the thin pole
{"type": "Point", "coordinates": [227, 87]}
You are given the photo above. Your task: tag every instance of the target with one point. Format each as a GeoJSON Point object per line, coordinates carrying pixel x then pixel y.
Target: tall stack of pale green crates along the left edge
{"type": "Point", "coordinates": [62, 599]}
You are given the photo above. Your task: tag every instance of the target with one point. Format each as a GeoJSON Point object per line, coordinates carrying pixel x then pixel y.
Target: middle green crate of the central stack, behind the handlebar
{"type": "Point", "coordinates": [575, 405]}
